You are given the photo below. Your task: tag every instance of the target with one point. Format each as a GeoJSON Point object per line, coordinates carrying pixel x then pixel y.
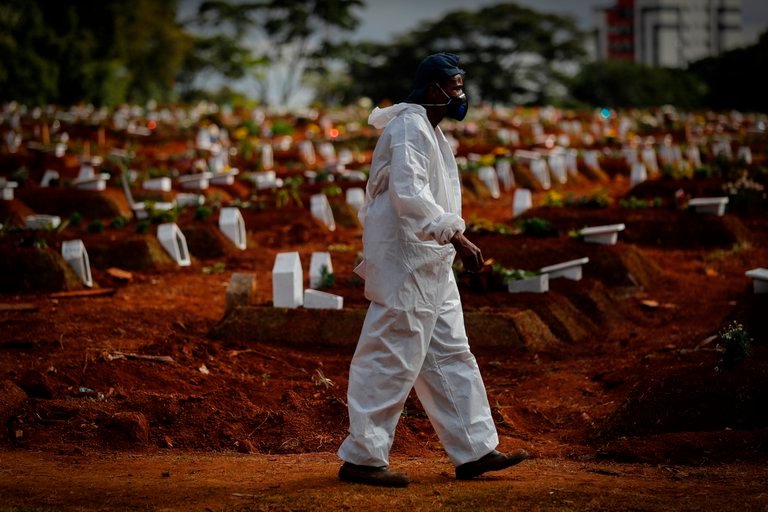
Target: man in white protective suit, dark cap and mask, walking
{"type": "Point", "coordinates": [413, 335]}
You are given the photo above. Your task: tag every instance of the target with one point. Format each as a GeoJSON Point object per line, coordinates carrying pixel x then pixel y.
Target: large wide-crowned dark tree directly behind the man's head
{"type": "Point", "coordinates": [511, 54]}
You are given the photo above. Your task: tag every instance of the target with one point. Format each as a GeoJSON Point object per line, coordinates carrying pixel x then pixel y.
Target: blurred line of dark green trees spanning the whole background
{"type": "Point", "coordinates": [108, 52]}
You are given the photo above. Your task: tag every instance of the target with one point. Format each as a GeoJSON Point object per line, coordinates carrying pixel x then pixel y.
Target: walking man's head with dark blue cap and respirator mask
{"type": "Point", "coordinates": [439, 86]}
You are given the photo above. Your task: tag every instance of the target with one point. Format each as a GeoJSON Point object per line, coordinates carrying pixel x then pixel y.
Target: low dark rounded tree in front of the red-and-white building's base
{"type": "Point", "coordinates": [618, 83]}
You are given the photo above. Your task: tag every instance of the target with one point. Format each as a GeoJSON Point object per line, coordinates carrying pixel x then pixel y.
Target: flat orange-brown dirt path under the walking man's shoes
{"type": "Point", "coordinates": [218, 482]}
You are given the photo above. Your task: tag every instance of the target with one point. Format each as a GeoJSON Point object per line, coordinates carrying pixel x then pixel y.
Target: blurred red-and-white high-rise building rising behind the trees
{"type": "Point", "coordinates": [669, 33]}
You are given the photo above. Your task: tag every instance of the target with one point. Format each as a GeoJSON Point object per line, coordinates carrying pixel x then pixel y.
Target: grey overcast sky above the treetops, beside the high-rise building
{"type": "Point", "coordinates": [380, 19]}
